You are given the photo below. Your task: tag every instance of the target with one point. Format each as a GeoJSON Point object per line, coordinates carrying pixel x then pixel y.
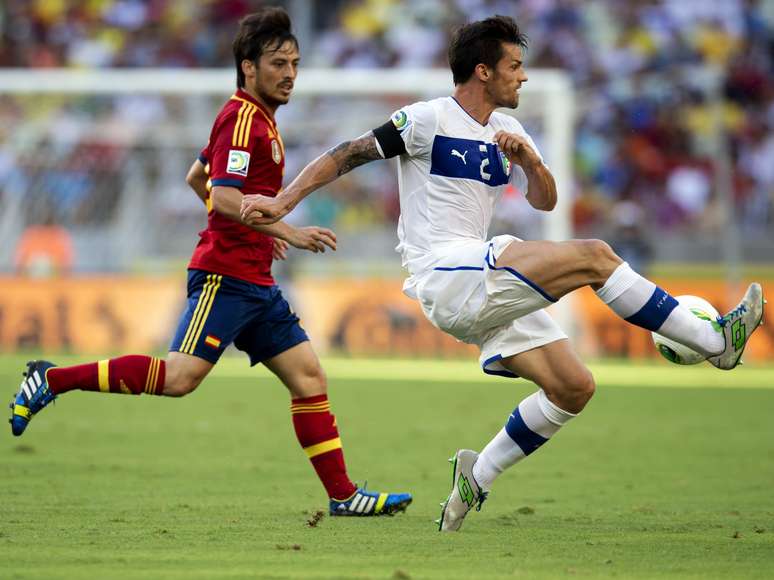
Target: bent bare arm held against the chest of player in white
{"type": "Point", "coordinates": [541, 186]}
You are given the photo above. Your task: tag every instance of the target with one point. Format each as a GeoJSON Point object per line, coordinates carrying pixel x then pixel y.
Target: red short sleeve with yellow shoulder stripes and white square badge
{"type": "Point", "coordinates": [229, 152]}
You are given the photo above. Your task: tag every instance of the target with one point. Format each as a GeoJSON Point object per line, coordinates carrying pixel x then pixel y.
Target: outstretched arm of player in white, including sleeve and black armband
{"type": "Point", "coordinates": [409, 131]}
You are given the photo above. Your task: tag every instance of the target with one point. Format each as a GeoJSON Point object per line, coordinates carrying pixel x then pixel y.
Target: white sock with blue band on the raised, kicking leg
{"type": "Point", "coordinates": [640, 302]}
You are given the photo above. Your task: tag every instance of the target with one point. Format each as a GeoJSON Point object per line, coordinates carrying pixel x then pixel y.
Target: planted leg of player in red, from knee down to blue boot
{"type": "Point", "coordinates": [315, 426]}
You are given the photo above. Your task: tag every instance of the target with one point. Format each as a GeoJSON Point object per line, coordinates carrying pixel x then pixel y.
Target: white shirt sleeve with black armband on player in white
{"type": "Point", "coordinates": [415, 126]}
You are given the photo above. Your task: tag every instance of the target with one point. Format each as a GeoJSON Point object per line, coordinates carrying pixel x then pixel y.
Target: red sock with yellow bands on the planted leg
{"type": "Point", "coordinates": [316, 431]}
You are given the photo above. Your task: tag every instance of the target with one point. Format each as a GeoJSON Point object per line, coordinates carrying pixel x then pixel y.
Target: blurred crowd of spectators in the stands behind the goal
{"type": "Point", "coordinates": [652, 81]}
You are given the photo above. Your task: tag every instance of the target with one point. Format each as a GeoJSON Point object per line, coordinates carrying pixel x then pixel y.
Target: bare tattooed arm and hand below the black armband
{"type": "Point", "coordinates": [341, 159]}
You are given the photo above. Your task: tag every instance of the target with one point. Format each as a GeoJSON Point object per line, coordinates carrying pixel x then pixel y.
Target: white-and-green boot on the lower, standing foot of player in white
{"type": "Point", "coordinates": [465, 494]}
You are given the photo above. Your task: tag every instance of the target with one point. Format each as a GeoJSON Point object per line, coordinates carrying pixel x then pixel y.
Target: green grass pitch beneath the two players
{"type": "Point", "coordinates": [667, 474]}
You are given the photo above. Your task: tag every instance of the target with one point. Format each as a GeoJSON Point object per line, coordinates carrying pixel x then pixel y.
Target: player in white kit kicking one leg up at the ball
{"type": "Point", "coordinates": [456, 156]}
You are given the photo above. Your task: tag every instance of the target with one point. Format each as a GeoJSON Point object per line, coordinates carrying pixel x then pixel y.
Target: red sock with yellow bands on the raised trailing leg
{"type": "Point", "coordinates": [131, 375]}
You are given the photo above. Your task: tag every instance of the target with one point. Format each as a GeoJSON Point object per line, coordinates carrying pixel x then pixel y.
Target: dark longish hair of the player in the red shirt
{"type": "Point", "coordinates": [265, 30]}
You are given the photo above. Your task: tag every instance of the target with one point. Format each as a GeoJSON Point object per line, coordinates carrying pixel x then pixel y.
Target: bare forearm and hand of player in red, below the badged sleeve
{"type": "Point", "coordinates": [227, 201]}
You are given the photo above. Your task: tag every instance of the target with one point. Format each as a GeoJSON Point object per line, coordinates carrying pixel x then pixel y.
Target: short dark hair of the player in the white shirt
{"type": "Point", "coordinates": [481, 43]}
